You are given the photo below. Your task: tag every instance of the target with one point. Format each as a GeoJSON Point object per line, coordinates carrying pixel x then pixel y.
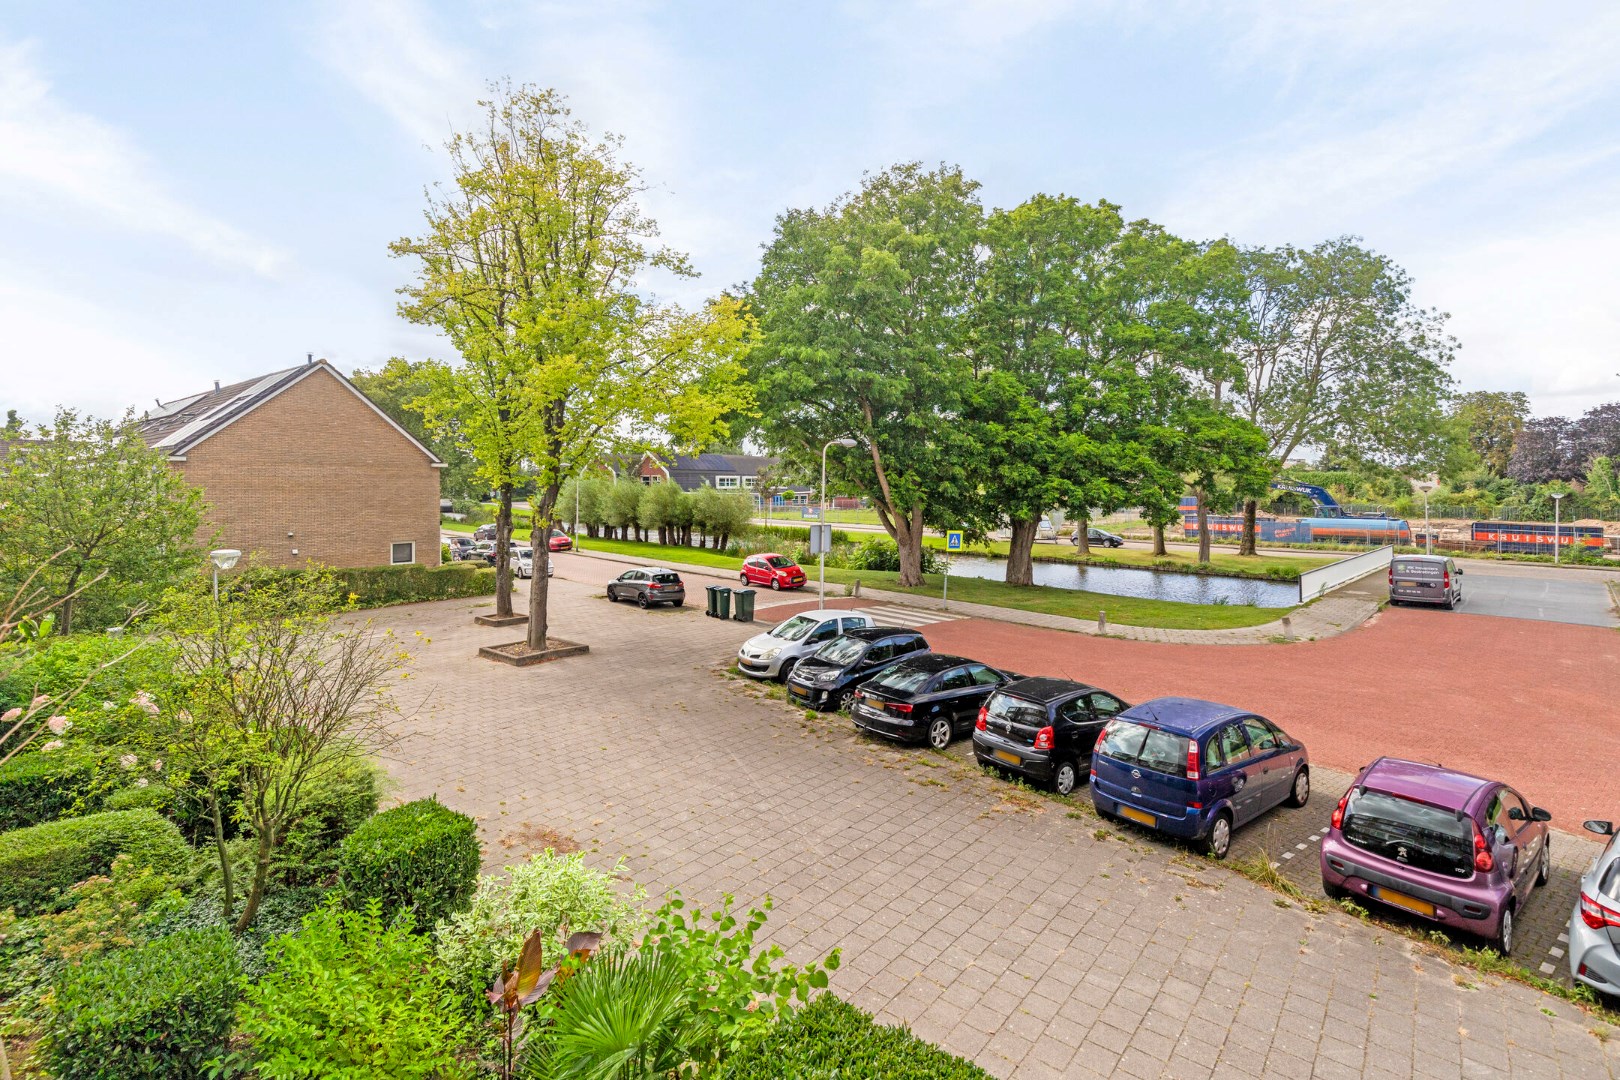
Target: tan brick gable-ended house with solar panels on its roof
{"type": "Point", "coordinates": [299, 466]}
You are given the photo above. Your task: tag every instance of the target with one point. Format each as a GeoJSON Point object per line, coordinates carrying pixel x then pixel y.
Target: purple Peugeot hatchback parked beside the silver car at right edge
{"type": "Point", "coordinates": [1446, 846]}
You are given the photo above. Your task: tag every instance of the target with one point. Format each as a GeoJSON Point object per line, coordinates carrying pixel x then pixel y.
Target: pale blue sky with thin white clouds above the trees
{"type": "Point", "coordinates": [207, 192]}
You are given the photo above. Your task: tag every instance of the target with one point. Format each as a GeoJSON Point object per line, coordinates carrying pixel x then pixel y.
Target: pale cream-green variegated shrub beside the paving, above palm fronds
{"type": "Point", "coordinates": [548, 893]}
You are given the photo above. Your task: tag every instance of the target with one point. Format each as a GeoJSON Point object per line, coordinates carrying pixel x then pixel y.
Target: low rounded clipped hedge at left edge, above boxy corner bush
{"type": "Point", "coordinates": [43, 862]}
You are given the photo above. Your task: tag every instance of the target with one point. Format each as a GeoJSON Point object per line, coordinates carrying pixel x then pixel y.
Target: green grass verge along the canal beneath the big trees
{"type": "Point", "coordinates": [1072, 603]}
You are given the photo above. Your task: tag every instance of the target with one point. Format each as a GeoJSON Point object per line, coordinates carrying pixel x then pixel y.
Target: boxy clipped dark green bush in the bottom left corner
{"type": "Point", "coordinates": [158, 1011]}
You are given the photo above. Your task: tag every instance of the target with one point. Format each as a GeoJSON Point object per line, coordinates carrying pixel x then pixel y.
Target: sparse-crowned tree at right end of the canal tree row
{"type": "Point", "coordinates": [1336, 354]}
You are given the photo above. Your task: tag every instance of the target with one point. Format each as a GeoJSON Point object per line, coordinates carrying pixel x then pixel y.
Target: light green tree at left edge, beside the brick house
{"type": "Point", "coordinates": [100, 519]}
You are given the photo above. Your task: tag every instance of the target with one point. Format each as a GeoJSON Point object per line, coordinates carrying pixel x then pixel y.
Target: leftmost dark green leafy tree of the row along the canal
{"type": "Point", "coordinates": [863, 308]}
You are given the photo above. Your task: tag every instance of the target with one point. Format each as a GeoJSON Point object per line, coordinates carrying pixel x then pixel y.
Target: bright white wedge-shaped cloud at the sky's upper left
{"type": "Point", "coordinates": [53, 155]}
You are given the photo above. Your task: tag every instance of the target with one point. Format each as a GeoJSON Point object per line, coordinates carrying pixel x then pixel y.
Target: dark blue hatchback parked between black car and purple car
{"type": "Point", "coordinates": [1196, 770]}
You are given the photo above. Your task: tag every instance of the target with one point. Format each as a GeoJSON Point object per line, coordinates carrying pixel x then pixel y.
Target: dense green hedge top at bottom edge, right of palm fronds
{"type": "Point", "coordinates": [830, 1039]}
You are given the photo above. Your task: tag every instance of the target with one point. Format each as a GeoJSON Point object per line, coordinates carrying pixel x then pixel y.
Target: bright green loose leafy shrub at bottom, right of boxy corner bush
{"type": "Point", "coordinates": [352, 997]}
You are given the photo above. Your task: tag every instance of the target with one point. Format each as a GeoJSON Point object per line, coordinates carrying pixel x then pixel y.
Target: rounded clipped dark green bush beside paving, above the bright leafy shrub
{"type": "Point", "coordinates": [422, 856]}
